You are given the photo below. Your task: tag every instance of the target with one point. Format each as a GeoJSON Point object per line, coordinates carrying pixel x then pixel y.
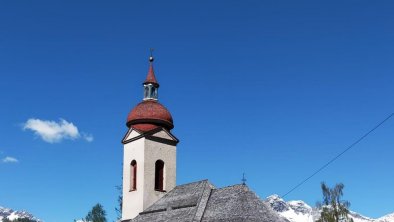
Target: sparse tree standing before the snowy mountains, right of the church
{"type": "Point", "coordinates": [333, 209]}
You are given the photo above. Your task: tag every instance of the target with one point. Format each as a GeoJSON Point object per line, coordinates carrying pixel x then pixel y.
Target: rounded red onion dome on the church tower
{"type": "Point", "coordinates": [148, 115]}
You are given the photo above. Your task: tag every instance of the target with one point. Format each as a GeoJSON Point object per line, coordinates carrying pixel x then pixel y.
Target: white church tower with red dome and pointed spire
{"type": "Point", "coordinates": [149, 158]}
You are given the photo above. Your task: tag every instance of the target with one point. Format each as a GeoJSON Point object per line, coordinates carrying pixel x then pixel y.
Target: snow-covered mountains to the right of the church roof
{"type": "Point", "coordinates": [299, 211]}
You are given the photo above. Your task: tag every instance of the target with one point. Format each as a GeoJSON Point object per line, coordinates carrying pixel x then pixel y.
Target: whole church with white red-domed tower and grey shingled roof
{"type": "Point", "coordinates": [150, 192]}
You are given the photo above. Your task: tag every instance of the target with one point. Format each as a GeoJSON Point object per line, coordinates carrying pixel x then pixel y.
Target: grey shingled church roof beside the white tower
{"type": "Point", "coordinates": [202, 202]}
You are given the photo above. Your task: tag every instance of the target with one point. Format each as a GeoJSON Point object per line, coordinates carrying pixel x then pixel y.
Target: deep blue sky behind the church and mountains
{"type": "Point", "coordinates": [274, 89]}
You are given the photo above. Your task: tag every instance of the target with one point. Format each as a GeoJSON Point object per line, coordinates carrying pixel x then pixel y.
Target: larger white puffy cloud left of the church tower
{"type": "Point", "coordinates": [54, 132]}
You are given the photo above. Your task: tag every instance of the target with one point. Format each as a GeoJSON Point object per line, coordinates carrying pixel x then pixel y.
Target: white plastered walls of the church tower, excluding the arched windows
{"type": "Point", "coordinates": [146, 152]}
